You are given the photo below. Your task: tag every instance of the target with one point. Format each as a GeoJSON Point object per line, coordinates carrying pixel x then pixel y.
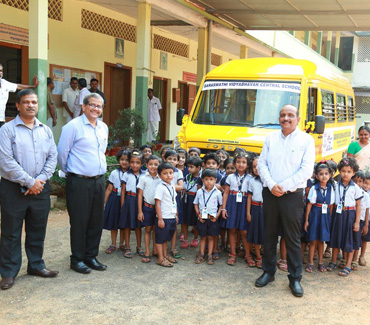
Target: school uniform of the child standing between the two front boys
{"type": "Point", "coordinates": [190, 190]}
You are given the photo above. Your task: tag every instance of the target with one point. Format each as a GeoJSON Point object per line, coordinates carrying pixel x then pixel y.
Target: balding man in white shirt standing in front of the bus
{"type": "Point", "coordinates": [286, 163]}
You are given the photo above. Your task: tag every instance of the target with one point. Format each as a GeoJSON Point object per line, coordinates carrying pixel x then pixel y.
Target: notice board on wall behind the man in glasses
{"type": "Point", "coordinates": [62, 76]}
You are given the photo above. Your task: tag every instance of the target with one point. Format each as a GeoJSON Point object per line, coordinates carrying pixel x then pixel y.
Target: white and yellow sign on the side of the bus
{"type": "Point", "coordinates": [337, 139]}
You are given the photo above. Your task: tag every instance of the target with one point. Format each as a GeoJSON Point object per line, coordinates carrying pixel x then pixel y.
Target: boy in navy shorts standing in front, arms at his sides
{"type": "Point", "coordinates": [166, 209]}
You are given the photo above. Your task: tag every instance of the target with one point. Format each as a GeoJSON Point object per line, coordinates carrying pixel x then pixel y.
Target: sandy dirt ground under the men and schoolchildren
{"type": "Point", "coordinates": [131, 292]}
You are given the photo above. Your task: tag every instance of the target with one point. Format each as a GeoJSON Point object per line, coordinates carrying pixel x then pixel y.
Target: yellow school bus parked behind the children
{"type": "Point", "coordinates": [238, 104]}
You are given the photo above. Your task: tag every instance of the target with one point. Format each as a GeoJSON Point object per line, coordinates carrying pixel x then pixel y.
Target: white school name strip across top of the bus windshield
{"type": "Point", "coordinates": [281, 86]}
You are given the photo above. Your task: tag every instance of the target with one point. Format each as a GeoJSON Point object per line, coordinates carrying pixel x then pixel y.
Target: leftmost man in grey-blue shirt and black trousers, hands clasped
{"type": "Point", "coordinates": [28, 158]}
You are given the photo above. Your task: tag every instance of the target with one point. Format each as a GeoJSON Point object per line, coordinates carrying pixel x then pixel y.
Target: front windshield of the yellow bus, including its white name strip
{"type": "Point", "coordinates": [245, 103]}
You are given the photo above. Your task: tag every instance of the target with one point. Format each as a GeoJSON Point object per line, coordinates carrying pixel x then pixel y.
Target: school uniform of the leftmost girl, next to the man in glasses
{"type": "Point", "coordinates": [112, 209]}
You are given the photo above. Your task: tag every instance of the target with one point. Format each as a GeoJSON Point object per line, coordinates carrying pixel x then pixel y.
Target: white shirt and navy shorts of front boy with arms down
{"type": "Point", "coordinates": [167, 195]}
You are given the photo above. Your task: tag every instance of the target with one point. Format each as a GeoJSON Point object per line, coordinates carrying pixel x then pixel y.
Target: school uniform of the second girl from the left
{"type": "Point", "coordinates": [129, 211]}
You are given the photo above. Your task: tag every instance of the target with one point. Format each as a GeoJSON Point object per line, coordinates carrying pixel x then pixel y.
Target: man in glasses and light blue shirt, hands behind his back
{"type": "Point", "coordinates": [81, 155]}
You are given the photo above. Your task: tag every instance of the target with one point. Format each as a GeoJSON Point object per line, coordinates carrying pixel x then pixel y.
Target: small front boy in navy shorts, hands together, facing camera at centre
{"type": "Point", "coordinates": [207, 205]}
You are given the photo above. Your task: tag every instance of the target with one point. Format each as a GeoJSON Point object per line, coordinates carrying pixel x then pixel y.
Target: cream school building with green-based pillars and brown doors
{"type": "Point", "coordinates": [169, 45]}
